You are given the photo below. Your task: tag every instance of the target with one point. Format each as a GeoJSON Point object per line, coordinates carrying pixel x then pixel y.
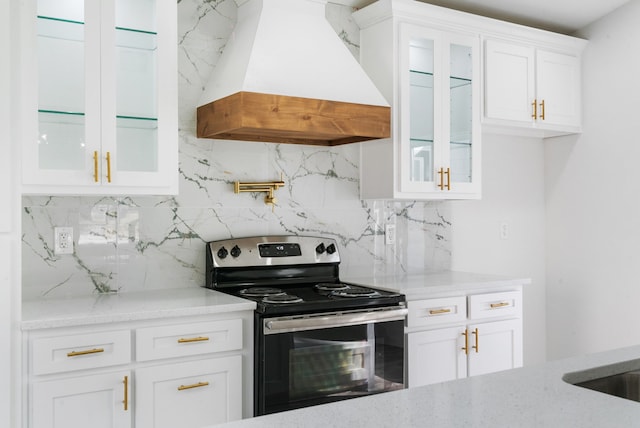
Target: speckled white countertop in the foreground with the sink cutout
{"type": "Point", "coordinates": [529, 397]}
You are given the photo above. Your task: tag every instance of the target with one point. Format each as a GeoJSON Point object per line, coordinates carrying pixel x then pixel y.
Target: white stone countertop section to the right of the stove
{"type": "Point", "coordinates": [417, 286]}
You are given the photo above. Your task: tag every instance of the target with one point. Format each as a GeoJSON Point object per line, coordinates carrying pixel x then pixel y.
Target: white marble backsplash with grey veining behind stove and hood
{"type": "Point", "coordinates": [127, 243]}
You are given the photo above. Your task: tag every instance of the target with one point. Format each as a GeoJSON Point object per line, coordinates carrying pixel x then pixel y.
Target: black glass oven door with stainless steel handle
{"type": "Point", "coordinates": [314, 359]}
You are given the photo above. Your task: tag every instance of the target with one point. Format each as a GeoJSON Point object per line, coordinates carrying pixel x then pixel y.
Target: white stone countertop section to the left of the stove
{"type": "Point", "coordinates": [122, 307]}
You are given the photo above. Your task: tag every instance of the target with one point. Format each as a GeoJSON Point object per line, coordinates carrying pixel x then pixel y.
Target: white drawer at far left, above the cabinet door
{"type": "Point", "coordinates": [80, 351]}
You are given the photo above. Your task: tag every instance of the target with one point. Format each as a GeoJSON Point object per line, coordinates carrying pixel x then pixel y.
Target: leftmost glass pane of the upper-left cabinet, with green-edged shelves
{"type": "Point", "coordinates": [63, 143]}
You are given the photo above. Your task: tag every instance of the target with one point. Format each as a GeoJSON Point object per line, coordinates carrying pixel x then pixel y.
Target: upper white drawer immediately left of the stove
{"type": "Point", "coordinates": [182, 340]}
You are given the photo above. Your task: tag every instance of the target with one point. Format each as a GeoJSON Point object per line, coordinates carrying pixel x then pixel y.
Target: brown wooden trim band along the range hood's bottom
{"type": "Point", "coordinates": [250, 116]}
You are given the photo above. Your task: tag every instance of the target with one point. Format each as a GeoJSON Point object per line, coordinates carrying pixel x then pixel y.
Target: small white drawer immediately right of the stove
{"type": "Point", "coordinates": [437, 311]}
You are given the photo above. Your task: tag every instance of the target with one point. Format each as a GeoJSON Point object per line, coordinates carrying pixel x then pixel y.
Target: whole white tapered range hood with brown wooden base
{"type": "Point", "coordinates": [286, 77]}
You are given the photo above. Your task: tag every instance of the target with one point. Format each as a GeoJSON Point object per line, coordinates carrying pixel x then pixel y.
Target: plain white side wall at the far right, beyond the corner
{"type": "Point", "coordinates": [593, 200]}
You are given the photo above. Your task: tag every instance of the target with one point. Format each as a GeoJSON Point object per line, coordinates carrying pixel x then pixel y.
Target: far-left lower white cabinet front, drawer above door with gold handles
{"type": "Point", "coordinates": [85, 396]}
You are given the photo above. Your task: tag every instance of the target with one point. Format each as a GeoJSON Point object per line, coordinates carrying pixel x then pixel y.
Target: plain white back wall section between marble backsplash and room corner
{"type": "Point", "coordinates": [512, 194]}
